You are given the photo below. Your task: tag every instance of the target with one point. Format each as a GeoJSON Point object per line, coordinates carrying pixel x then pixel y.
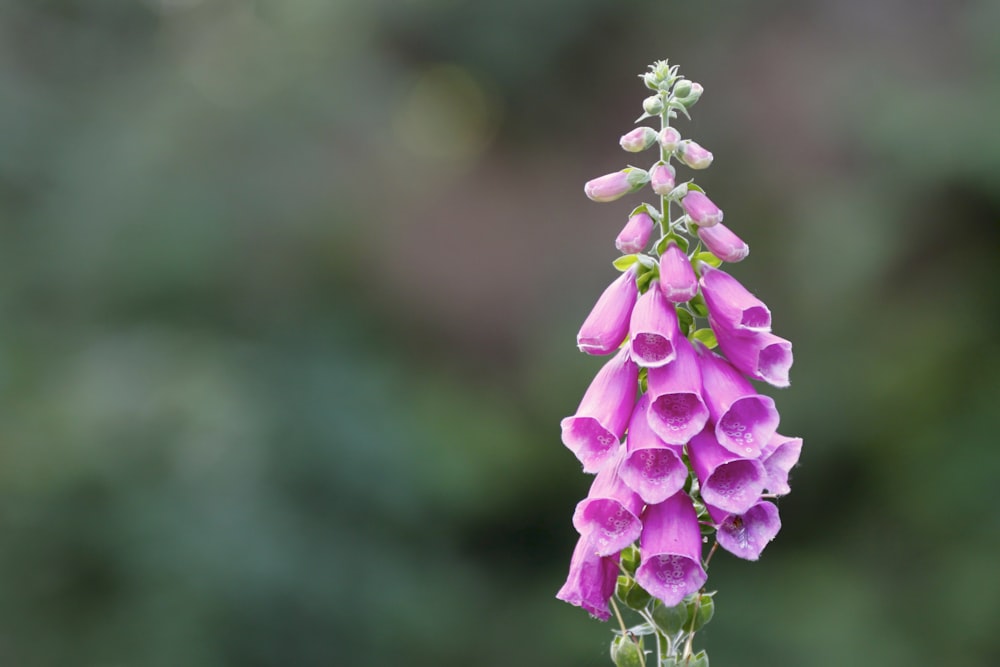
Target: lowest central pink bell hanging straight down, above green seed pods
{"type": "Point", "coordinates": [670, 549]}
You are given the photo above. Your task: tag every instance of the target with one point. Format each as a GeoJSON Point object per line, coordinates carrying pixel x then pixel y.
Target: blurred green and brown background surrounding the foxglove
{"type": "Point", "coordinates": [288, 298]}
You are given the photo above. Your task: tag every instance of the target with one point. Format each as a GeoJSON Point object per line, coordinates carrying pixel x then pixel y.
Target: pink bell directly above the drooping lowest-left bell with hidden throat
{"type": "Point", "coordinates": [610, 512]}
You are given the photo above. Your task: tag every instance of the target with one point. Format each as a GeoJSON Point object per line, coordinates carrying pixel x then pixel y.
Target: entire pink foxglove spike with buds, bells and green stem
{"type": "Point", "coordinates": [683, 448]}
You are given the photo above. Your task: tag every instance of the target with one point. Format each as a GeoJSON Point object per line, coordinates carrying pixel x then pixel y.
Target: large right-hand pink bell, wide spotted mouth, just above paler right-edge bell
{"type": "Point", "coordinates": [744, 420]}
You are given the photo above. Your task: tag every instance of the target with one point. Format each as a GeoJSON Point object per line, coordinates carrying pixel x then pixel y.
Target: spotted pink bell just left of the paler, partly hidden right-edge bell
{"type": "Point", "coordinates": [727, 480]}
